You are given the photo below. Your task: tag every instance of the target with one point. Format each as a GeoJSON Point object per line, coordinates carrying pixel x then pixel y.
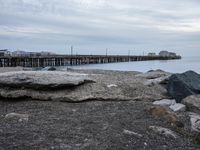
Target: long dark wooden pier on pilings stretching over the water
{"type": "Point", "coordinates": [68, 60]}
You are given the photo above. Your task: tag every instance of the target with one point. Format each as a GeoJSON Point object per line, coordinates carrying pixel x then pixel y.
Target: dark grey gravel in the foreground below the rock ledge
{"type": "Point", "coordinates": [89, 125]}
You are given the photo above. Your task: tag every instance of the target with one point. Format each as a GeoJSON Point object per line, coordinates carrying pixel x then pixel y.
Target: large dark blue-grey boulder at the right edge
{"type": "Point", "coordinates": [183, 85]}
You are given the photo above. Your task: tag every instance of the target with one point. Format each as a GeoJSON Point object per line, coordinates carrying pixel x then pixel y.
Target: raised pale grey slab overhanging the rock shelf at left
{"type": "Point", "coordinates": [42, 80]}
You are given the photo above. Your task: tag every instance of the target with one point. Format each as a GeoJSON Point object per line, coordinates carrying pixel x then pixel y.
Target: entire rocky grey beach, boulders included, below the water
{"type": "Point", "coordinates": [97, 109]}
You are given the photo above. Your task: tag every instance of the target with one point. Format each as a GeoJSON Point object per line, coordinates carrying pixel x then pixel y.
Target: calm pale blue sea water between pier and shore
{"type": "Point", "coordinates": [174, 66]}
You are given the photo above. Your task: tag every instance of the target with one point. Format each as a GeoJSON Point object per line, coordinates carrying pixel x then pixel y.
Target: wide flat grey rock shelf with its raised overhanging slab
{"type": "Point", "coordinates": [71, 87]}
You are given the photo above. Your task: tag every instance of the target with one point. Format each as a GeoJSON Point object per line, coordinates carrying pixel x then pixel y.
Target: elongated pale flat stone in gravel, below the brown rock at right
{"type": "Point", "coordinates": [163, 131]}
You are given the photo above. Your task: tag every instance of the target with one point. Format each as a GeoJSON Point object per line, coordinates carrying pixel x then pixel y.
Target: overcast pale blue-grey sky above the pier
{"type": "Point", "coordinates": [91, 26]}
